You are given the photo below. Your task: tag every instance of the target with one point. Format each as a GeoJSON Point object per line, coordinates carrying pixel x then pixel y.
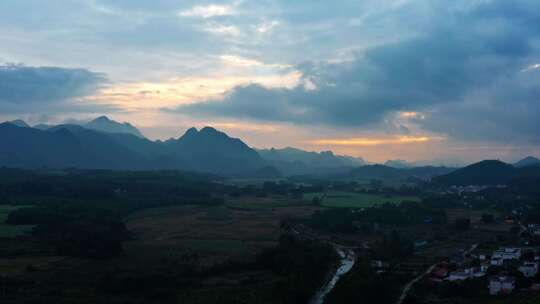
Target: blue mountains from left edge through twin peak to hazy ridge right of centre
{"type": "Point", "coordinates": [106, 144]}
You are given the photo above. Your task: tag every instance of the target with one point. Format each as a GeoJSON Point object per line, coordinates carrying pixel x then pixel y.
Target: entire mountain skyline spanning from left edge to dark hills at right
{"type": "Point", "coordinates": [106, 144]}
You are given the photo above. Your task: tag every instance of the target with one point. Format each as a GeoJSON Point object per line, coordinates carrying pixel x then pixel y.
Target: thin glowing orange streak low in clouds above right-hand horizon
{"type": "Point", "coordinates": [374, 141]}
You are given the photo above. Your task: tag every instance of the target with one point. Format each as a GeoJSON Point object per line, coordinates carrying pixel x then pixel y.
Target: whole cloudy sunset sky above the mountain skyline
{"type": "Point", "coordinates": [443, 82]}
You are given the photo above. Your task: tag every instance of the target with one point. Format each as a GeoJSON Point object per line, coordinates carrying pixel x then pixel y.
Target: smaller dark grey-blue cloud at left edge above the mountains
{"type": "Point", "coordinates": [24, 88]}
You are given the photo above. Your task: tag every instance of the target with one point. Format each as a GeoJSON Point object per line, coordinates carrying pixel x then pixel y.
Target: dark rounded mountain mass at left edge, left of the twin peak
{"type": "Point", "coordinates": [63, 147]}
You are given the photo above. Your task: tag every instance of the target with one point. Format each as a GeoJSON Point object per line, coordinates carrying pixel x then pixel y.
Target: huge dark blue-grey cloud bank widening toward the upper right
{"type": "Point", "coordinates": [469, 64]}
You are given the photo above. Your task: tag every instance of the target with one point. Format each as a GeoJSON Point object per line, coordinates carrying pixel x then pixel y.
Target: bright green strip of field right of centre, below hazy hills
{"type": "Point", "coordinates": [339, 199]}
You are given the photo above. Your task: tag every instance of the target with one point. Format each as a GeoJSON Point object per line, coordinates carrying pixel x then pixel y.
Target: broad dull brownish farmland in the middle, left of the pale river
{"type": "Point", "coordinates": [240, 228]}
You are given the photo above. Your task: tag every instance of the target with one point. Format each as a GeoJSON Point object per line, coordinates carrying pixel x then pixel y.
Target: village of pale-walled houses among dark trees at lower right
{"type": "Point", "coordinates": [484, 273]}
